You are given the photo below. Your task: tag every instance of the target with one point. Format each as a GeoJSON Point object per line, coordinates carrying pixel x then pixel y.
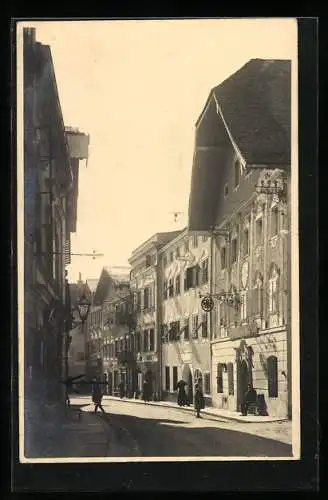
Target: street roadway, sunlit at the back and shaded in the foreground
{"type": "Point", "coordinates": [150, 431]}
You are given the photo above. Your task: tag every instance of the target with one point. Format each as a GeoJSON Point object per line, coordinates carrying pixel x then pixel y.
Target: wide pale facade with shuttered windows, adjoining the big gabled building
{"type": "Point", "coordinates": [185, 327]}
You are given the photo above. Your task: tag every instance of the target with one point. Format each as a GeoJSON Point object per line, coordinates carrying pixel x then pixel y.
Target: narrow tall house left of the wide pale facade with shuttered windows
{"type": "Point", "coordinates": [146, 293]}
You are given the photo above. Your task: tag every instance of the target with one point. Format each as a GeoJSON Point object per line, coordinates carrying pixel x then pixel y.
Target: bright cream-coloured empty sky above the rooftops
{"type": "Point", "coordinates": [138, 87]}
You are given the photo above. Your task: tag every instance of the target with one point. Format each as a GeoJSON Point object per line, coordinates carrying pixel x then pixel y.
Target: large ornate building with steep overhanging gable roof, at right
{"type": "Point", "coordinates": [242, 163]}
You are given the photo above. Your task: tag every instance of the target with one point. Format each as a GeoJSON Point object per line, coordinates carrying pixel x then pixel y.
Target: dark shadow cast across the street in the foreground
{"type": "Point", "coordinates": [166, 438]}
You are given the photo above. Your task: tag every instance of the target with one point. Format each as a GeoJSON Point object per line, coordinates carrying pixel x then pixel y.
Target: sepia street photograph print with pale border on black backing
{"type": "Point", "coordinates": [158, 267]}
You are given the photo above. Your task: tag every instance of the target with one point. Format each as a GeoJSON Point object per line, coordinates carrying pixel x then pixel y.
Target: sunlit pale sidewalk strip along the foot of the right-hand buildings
{"type": "Point", "coordinates": [210, 412]}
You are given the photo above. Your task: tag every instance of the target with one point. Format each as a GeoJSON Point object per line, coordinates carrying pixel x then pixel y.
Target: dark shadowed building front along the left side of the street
{"type": "Point", "coordinates": [50, 191]}
